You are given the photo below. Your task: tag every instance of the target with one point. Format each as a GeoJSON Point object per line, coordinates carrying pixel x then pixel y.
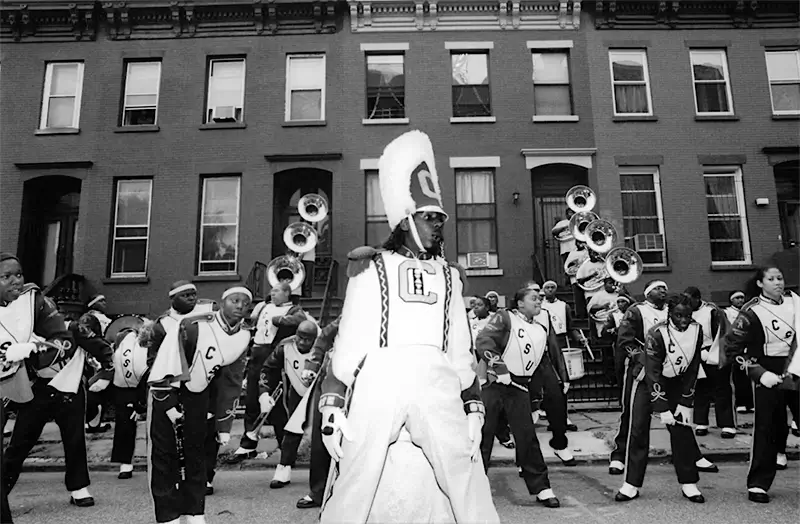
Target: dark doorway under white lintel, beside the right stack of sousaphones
{"type": "Point", "coordinates": [550, 184]}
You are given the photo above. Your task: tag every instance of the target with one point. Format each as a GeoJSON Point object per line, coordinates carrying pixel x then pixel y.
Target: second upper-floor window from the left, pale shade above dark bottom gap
{"type": "Point", "coordinates": [142, 81]}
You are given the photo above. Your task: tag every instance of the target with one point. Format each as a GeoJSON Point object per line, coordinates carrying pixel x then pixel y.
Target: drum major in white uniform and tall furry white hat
{"type": "Point", "coordinates": [404, 343]}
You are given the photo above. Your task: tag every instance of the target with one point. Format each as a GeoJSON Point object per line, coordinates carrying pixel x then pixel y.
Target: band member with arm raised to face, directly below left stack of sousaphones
{"type": "Point", "coordinates": [275, 320]}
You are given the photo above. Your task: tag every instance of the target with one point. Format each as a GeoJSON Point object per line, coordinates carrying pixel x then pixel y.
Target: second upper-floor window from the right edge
{"type": "Point", "coordinates": [712, 90]}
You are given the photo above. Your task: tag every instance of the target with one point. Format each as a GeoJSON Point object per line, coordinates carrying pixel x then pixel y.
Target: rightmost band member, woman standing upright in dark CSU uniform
{"type": "Point", "coordinates": [763, 340]}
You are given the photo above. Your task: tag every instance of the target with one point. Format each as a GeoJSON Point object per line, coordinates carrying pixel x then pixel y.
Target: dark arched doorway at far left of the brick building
{"type": "Point", "coordinates": [49, 223]}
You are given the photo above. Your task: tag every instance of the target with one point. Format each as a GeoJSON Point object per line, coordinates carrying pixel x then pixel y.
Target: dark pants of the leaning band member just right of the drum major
{"type": "Point", "coordinates": [516, 404]}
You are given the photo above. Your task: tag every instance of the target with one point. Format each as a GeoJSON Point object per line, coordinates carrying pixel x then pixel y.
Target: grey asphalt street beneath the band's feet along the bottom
{"type": "Point", "coordinates": [586, 494]}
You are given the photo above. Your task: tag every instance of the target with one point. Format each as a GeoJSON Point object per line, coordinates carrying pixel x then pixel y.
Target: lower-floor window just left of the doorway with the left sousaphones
{"type": "Point", "coordinates": [219, 225]}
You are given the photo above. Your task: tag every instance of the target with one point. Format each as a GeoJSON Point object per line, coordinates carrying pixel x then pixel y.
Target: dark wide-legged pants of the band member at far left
{"type": "Point", "coordinates": [68, 411]}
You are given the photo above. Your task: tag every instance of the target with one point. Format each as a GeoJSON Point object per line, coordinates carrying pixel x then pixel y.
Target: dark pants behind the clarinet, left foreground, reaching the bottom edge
{"type": "Point", "coordinates": [173, 497]}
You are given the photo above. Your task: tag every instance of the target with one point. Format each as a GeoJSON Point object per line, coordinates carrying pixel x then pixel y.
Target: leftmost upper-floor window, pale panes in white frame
{"type": "Point", "coordinates": [61, 104]}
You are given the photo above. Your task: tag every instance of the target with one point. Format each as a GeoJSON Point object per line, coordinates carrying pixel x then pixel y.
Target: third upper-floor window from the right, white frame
{"type": "Point", "coordinates": [630, 79]}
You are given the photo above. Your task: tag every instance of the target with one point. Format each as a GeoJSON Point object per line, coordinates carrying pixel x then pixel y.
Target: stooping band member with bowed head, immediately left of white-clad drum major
{"type": "Point", "coordinates": [286, 363]}
